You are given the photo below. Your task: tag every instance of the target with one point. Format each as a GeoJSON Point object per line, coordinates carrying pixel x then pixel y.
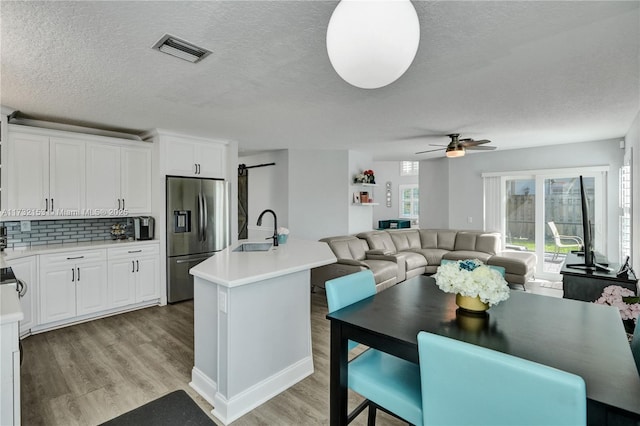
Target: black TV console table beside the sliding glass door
{"type": "Point", "coordinates": [588, 285]}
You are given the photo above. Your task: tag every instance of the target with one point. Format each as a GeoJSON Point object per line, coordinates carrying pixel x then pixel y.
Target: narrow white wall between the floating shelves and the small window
{"type": "Point", "coordinates": [388, 171]}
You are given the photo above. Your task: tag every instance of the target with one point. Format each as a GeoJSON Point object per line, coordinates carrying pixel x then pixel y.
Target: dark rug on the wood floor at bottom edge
{"type": "Point", "coordinates": [175, 408]}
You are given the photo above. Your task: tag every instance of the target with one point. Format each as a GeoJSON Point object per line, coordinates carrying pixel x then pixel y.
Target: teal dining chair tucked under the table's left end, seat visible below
{"type": "Point", "coordinates": [385, 381]}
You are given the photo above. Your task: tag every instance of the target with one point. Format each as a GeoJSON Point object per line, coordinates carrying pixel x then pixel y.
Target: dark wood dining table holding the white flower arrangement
{"type": "Point", "coordinates": [579, 337]}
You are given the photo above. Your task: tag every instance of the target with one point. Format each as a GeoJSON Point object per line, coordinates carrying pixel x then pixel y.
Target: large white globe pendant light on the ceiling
{"type": "Point", "coordinates": [371, 43]}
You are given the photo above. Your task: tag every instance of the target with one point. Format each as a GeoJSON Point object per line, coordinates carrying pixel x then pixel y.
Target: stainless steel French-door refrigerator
{"type": "Point", "coordinates": [197, 227]}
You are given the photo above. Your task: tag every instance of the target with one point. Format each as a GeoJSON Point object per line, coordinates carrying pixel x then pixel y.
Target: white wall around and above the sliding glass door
{"type": "Point", "coordinates": [462, 181]}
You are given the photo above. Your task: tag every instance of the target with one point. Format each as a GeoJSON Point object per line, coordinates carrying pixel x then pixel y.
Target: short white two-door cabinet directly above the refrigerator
{"type": "Point", "coordinates": [187, 157]}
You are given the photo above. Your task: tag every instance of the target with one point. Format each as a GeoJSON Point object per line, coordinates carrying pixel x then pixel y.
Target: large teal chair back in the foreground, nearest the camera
{"type": "Point", "coordinates": [465, 384]}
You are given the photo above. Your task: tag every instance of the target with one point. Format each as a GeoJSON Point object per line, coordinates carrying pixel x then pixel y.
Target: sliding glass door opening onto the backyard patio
{"type": "Point", "coordinates": [542, 214]}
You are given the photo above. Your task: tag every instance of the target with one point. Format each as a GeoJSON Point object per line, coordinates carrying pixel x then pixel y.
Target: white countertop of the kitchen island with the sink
{"type": "Point", "coordinates": [232, 269]}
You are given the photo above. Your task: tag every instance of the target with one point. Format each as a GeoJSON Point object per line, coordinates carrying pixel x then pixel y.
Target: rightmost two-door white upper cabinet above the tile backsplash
{"type": "Point", "coordinates": [119, 177]}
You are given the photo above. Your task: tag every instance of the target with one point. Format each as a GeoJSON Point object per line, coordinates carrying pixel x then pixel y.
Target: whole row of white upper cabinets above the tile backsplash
{"type": "Point", "coordinates": [57, 173]}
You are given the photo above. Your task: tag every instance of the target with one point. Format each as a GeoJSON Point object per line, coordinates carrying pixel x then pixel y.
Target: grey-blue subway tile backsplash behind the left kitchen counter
{"type": "Point", "coordinates": [60, 231]}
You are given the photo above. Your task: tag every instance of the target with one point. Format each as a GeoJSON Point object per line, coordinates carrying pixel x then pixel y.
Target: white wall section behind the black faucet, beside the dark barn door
{"type": "Point", "coordinates": [268, 188]}
